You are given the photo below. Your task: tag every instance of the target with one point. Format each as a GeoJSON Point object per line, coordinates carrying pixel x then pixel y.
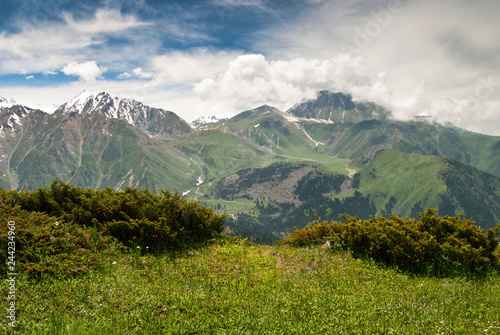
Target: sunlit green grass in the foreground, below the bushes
{"type": "Point", "coordinates": [231, 287]}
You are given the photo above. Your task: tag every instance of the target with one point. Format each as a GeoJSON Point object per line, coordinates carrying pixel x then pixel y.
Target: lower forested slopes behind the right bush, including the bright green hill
{"type": "Point", "coordinates": [285, 195]}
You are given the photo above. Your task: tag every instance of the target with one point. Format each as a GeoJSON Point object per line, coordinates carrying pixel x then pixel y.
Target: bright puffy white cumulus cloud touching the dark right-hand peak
{"type": "Point", "coordinates": [251, 80]}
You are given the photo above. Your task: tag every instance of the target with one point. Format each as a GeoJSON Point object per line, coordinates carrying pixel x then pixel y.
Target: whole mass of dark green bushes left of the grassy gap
{"type": "Point", "coordinates": [88, 219]}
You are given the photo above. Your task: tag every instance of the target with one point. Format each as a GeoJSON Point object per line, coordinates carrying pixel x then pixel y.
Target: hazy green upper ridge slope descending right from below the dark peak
{"type": "Point", "coordinates": [362, 141]}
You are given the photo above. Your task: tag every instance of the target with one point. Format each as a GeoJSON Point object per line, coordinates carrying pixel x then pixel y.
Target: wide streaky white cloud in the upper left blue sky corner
{"type": "Point", "coordinates": [46, 46]}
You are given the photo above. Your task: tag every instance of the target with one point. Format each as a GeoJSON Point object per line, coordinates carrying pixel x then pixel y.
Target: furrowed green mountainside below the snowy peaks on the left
{"type": "Point", "coordinates": [89, 151]}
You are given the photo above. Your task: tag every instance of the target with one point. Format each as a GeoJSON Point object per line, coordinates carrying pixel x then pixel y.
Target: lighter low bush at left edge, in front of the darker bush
{"type": "Point", "coordinates": [45, 244]}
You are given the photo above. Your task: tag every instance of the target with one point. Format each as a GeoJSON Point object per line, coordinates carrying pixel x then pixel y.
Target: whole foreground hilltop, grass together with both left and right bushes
{"type": "Point", "coordinates": [80, 274]}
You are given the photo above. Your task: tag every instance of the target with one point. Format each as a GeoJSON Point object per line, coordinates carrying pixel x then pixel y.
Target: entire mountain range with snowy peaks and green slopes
{"type": "Point", "coordinates": [269, 170]}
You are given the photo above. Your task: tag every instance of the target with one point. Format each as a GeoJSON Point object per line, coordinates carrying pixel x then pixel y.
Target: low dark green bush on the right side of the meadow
{"type": "Point", "coordinates": [433, 245]}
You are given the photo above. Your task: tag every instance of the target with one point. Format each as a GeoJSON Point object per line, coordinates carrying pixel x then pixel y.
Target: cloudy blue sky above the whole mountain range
{"type": "Point", "coordinates": [221, 57]}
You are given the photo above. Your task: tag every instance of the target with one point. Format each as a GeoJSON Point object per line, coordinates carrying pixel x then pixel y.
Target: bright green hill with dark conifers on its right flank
{"type": "Point", "coordinates": [406, 184]}
